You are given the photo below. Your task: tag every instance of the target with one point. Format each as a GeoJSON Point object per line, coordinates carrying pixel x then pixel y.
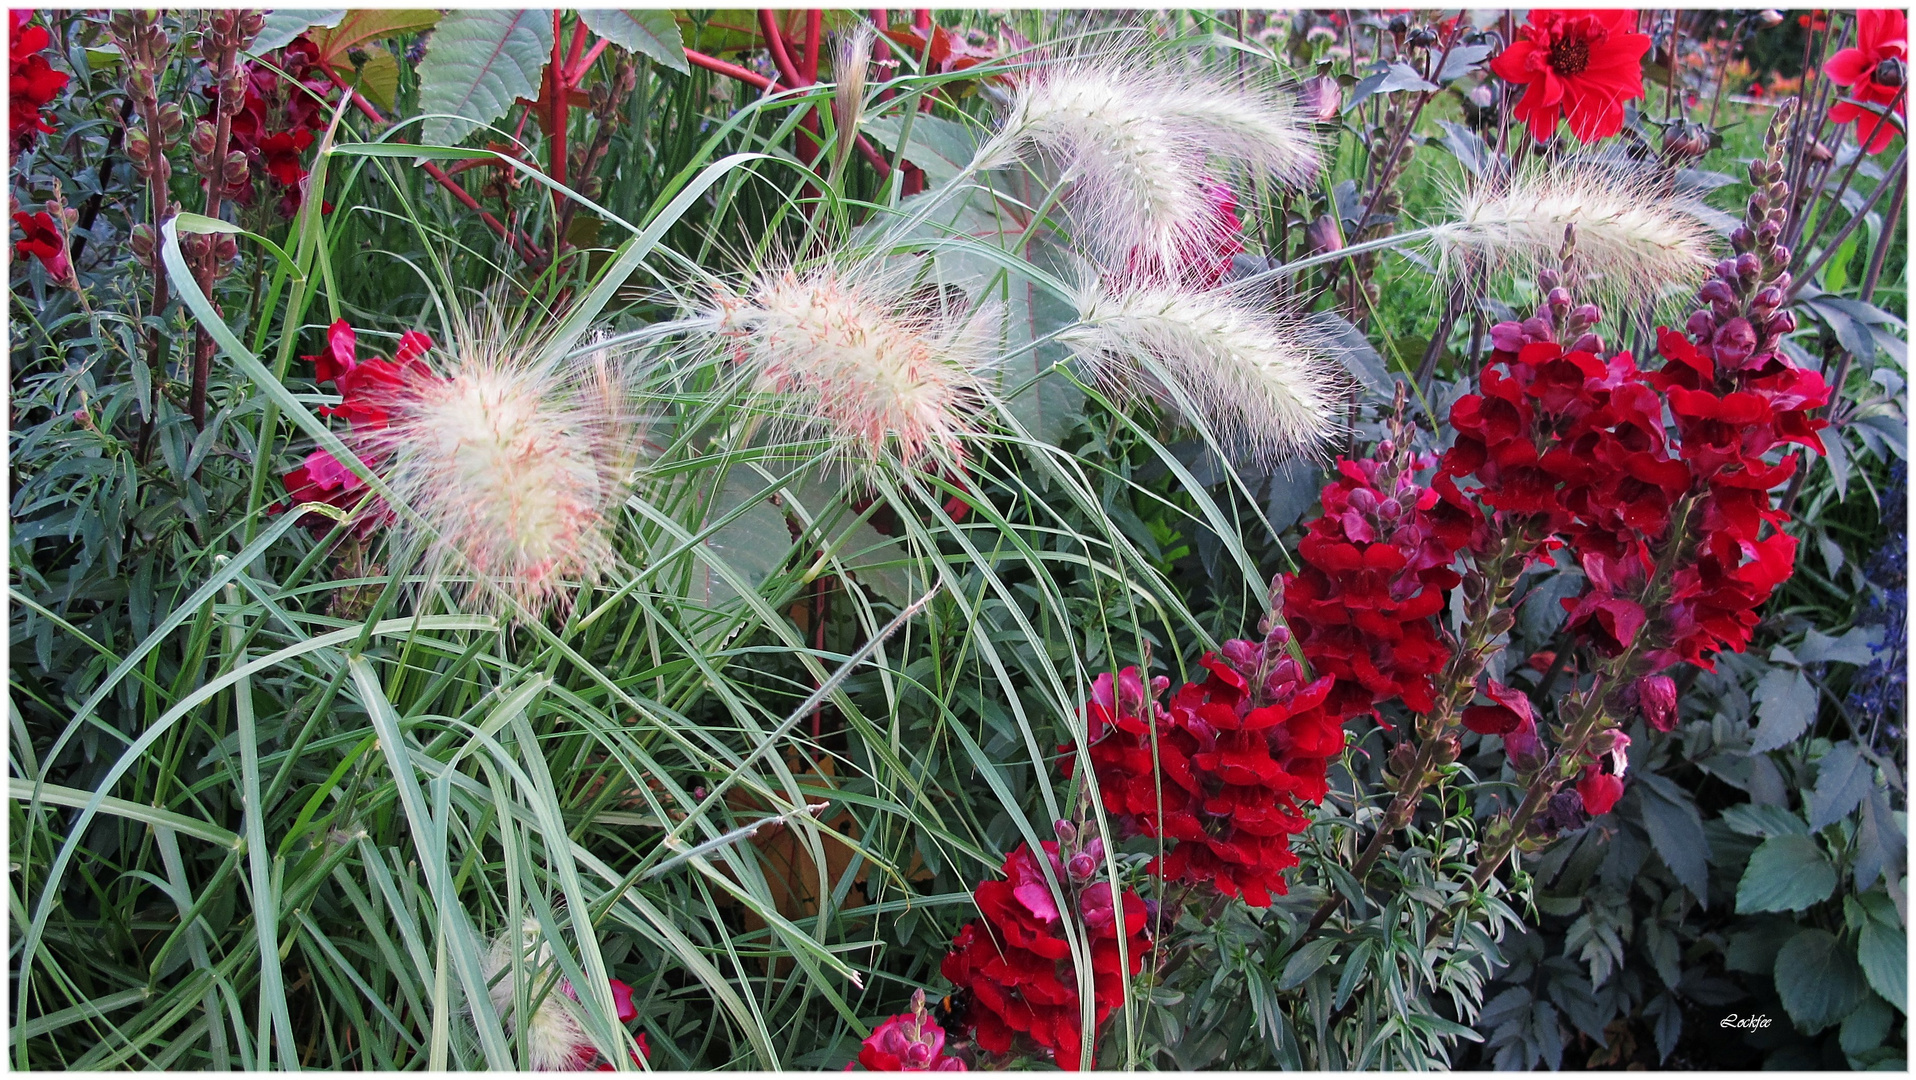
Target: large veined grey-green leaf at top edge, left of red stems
{"type": "Point", "coordinates": [480, 64]}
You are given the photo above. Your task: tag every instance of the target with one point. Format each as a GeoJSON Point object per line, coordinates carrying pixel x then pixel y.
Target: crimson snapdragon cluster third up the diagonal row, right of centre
{"type": "Point", "coordinates": [1377, 568]}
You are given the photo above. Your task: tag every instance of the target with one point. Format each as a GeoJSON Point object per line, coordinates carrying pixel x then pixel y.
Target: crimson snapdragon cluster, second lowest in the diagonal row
{"type": "Point", "coordinates": [1223, 771]}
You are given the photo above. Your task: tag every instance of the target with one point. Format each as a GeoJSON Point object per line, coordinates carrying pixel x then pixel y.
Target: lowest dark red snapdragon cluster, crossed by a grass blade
{"type": "Point", "coordinates": [1016, 964]}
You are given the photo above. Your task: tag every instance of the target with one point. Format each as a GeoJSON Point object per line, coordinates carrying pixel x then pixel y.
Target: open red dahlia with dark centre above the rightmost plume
{"type": "Point", "coordinates": [1580, 66]}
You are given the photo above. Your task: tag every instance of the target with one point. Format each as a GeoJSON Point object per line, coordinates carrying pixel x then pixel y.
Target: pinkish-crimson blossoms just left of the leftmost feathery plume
{"type": "Point", "coordinates": [369, 394]}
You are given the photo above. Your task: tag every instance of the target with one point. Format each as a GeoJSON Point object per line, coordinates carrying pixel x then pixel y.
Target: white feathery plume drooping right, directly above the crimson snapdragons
{"type": "Point", "coordinates": [1260, 380]}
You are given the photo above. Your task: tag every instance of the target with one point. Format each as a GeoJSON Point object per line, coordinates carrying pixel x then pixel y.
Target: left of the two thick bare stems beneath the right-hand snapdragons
{"type": "Point", "coordinates": [1488, 618]}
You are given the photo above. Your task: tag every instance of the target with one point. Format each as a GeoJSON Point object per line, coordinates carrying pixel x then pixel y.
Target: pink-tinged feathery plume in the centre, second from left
{"type": "Point", "coordinates": [877, 363]}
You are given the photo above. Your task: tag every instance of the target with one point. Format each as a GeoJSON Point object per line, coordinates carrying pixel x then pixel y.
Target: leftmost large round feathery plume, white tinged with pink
{"type": "Point", "coordinates": [514, 464]}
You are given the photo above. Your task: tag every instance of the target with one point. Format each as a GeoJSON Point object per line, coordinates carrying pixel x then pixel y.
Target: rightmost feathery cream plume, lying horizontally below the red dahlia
{"type": "Point", "coordinates": [1633, 236]}
